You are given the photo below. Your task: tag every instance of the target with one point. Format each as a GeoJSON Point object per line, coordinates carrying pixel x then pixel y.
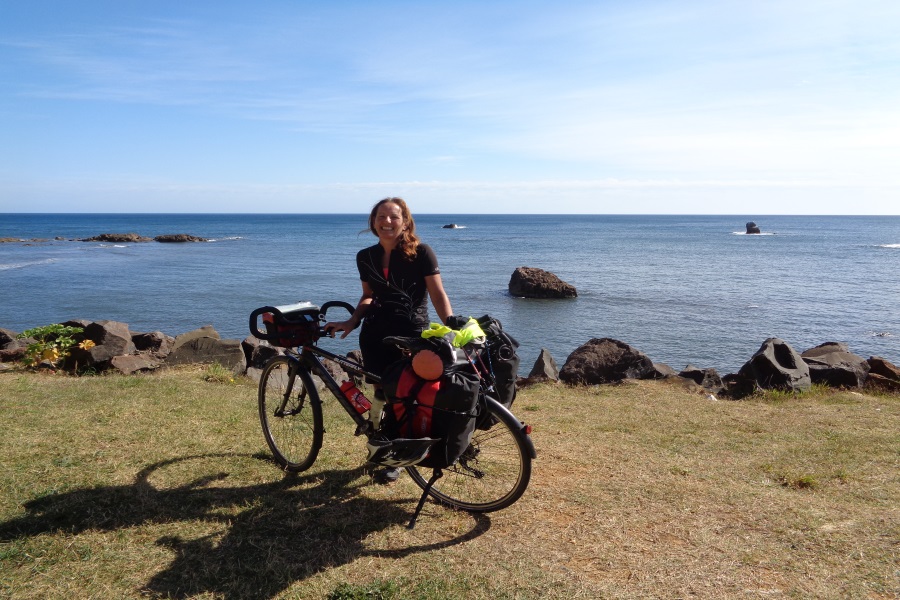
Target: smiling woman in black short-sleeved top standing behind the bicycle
{"type": "Point", "coordinates": [399, 274]}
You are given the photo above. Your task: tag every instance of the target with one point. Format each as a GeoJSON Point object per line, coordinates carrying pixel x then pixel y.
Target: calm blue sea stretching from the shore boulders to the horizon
{"type": "Point", "coordinates": [682, 289]}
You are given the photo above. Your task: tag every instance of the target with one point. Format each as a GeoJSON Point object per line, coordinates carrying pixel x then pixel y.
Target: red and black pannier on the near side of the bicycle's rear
{"type": "Point", "coordinates": [443, 408]}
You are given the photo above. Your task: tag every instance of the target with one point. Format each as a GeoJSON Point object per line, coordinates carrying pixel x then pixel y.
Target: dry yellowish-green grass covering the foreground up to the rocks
{"type": "Point", "coordinates": [160, 486]}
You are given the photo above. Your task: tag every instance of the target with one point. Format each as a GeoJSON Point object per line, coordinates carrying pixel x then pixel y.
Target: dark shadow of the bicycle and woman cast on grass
{"type": "Point", "coordinates": [265, 537]}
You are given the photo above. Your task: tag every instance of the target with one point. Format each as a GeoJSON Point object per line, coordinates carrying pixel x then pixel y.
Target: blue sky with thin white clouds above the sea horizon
{"type": "Point", "coordinates": [723, 107]}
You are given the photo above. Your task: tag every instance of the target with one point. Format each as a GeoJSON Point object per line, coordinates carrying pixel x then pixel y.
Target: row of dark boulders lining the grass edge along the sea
{"type": "Point", "coordinates": [776, 365]}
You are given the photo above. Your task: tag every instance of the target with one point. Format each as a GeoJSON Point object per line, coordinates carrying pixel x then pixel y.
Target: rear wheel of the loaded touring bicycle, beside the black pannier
{"type": "Point", "coordinates": [492, 473]}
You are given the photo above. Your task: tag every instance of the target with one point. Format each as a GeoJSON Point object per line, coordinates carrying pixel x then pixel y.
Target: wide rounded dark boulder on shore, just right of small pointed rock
{"type": "Point", "coordinates": [605, 360]}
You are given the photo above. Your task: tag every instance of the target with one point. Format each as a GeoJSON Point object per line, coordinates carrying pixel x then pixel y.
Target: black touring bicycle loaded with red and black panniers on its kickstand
{"type": "Point", "coordinates": [446, 417]}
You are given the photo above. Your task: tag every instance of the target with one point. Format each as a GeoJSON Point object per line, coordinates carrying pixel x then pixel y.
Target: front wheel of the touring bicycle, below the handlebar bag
{"type": "Point", "coordinates": [290, 412]}
